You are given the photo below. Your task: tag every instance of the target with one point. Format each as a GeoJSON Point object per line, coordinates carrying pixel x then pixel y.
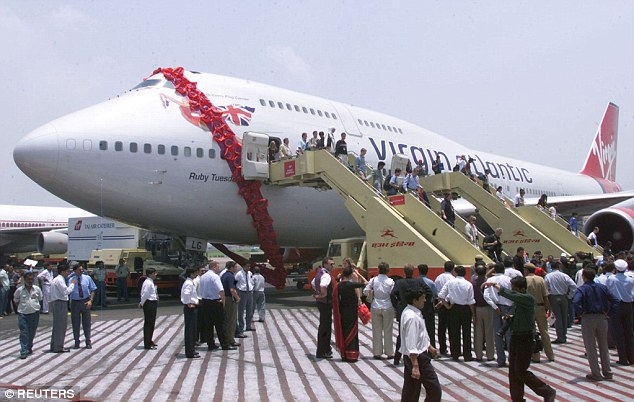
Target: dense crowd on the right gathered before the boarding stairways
{"type": "Point", "coordinates": [508, 305]}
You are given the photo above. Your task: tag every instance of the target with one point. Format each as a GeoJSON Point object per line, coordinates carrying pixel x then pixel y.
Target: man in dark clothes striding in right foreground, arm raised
{"type": "Point", "coordinates": [522, 339]}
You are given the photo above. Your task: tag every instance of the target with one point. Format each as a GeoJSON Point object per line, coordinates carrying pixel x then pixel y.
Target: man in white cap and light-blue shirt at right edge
{"type": "Point", "coordinates": [621, 285]}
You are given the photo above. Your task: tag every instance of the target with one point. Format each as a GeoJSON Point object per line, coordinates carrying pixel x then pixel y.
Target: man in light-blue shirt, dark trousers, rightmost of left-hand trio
{"type": "Point", "coordinates": [81, 299]}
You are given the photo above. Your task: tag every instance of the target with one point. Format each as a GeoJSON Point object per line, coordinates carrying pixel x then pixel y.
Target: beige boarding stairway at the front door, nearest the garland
{"type": "Point", "coordinates": [399, 229]}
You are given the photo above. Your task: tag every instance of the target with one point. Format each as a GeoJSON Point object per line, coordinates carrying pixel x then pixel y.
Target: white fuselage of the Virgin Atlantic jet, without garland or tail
{"type": "Point", "coordinates": [106, 159]}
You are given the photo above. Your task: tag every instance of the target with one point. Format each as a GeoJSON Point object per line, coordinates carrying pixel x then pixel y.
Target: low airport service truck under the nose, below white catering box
{"type": "Point", "coordinates": [168, 280]}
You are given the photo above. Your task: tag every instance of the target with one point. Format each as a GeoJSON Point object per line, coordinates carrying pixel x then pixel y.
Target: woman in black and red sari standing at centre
{"type": "Point", "coordinates": [346, 300]}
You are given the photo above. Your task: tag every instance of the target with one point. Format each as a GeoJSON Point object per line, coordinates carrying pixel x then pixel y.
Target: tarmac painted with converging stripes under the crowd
{"type": "Point", "coordinates": [274, 363]}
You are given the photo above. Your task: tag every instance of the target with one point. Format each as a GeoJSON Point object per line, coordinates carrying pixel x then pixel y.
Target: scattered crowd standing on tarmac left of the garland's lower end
{"type": "Point", "coordinates": [217, 303]}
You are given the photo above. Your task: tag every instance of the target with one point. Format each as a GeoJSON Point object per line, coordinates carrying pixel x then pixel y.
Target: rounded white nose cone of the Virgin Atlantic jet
{"type": "Point", "coordinates": [37, 154]}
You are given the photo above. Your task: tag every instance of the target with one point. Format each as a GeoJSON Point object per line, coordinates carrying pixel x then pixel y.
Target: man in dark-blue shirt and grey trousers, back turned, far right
{"type": "Point", "coordinates": [593, 302]}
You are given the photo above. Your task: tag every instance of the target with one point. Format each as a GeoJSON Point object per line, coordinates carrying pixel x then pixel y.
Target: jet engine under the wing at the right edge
{"type": "Point", "coordinates": [615, 224]}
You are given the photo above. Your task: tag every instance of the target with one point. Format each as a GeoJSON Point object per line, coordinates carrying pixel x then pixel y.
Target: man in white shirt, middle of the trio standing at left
{"type": "Point", "coordinates": [59, 307]}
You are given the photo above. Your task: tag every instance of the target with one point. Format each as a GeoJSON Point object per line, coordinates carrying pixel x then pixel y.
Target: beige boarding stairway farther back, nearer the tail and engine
{"type": "Point", "coordinates": [525, 226]}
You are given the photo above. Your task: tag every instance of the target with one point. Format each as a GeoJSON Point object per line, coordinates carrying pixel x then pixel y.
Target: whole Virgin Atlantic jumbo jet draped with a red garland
{"type": "Point", "coordinates": [163, 157]}
